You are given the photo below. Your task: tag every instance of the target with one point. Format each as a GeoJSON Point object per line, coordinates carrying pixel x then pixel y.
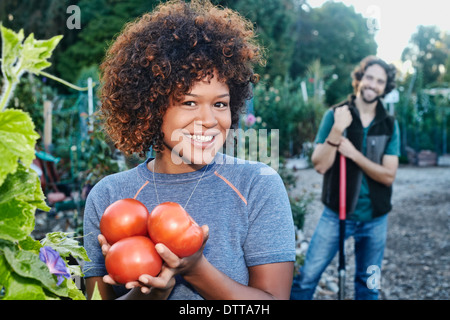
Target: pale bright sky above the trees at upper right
{"type": "Point", "coordinates": [397, 20]}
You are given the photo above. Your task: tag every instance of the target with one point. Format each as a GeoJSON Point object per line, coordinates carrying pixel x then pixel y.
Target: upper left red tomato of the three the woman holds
{"type": "Point", "coordinates": [124, 218]}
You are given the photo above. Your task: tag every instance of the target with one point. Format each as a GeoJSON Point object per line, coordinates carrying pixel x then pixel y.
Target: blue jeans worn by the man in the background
{"type": "Point", "coordinates": [370, 241]}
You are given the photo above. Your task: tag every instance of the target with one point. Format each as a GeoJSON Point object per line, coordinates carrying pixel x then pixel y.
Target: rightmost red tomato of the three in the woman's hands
{"type": "Point", "coordinates": [171, 225]}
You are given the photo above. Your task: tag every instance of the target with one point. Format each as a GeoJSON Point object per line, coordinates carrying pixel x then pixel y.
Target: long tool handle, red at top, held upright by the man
{"type": "Point", "coordinates": [342, 217]}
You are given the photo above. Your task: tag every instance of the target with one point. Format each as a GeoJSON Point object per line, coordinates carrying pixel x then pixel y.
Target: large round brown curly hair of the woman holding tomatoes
{"type": "Point", "coordinates": [161, 55]}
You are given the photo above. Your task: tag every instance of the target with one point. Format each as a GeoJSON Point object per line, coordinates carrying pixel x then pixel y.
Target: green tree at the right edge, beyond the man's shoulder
{"type": "Point", "coordinates": [423, 106]}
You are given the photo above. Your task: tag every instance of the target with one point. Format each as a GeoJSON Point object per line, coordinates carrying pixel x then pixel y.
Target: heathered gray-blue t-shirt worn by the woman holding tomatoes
{"type": "Point", "coordinates": [245, 206]}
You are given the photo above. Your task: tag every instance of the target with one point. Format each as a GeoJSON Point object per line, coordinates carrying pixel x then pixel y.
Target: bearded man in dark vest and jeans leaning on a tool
{"type": "Point", "coordinates": [362, 131]}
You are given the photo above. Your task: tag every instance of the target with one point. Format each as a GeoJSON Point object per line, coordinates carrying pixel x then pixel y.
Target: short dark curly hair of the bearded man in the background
{"type": "Point", "coordinates": [358, 73]}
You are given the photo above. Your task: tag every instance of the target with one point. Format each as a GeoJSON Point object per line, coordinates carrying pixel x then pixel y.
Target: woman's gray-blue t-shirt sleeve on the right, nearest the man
{"type": "Point", "coordinates": [271, 234]}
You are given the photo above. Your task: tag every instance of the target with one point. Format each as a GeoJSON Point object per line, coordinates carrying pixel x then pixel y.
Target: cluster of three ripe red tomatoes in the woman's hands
{"type": "Point", "coordinates": [133, 233]}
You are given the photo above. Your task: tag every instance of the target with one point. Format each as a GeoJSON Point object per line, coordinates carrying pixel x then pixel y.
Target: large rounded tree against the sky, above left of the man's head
{"type": "Point", "coordinates": [337, 36]}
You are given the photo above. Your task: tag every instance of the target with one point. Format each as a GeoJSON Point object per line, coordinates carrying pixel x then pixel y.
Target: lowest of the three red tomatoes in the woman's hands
{"type": "Point", "coordinates": [132, 257]}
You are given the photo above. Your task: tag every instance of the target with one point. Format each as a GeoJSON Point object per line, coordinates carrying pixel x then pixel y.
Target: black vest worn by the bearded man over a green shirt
{"type": "Point", "coordinates": [378, 138]}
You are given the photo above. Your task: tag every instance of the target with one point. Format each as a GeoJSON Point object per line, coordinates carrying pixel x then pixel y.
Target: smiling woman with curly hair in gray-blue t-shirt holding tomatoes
{"type": "Point", "coordinates": [176, 80]}
